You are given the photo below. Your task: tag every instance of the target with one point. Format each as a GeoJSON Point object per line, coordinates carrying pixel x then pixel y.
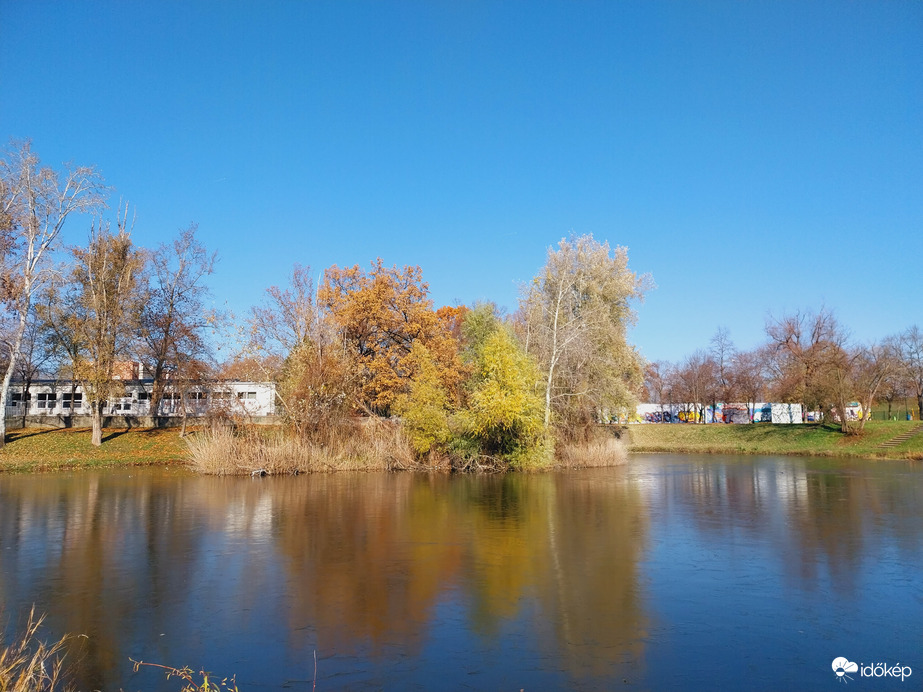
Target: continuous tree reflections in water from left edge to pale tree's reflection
{"type": "Point", "coordinates": [350, 562]}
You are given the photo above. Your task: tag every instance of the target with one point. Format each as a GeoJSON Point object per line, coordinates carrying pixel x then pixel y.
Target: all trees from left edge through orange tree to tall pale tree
{"type": "Point", "coordinates": [465, 381]}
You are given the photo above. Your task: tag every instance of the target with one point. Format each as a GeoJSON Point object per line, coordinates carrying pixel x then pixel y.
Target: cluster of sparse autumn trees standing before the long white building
{"type": "Point", "coordinates": [79, 312]}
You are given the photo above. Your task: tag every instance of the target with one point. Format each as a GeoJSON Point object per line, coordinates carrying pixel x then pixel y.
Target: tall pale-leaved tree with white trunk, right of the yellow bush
{"type": "Point", "coordinates": [575, 316]}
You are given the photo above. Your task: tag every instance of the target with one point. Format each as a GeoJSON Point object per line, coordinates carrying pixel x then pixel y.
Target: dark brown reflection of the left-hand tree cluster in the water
{"type": "Point", "coordinates": [96, 551]}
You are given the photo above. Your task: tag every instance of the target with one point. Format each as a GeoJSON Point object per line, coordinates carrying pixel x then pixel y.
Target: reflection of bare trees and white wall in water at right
{"type": "Point", "coordinates": [819, 516]}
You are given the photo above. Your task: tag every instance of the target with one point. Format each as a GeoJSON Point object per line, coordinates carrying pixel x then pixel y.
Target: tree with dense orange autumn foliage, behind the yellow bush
{"type": "Point", "coordinates": [381, 314]}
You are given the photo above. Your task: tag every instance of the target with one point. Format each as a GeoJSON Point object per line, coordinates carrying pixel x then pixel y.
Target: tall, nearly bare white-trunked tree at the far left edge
{"type": "Point", "coordinates": [35, 201]}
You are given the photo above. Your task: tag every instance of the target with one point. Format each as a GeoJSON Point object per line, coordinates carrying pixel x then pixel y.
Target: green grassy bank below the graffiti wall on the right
{"type": "Point", "coordinates": [764, 438]}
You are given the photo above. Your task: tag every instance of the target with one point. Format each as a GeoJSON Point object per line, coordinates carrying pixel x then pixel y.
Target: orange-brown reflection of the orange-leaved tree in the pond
{"type": "Point", "coordinates": [367, 557]}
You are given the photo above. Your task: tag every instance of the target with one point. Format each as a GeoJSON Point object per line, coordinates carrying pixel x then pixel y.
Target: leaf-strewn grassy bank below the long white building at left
{"type": "Point", "coordinates": [39, 449]}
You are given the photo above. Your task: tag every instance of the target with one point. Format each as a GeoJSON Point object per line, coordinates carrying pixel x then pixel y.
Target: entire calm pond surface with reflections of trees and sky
{"type": "Point", "coordinates": [668, 573]}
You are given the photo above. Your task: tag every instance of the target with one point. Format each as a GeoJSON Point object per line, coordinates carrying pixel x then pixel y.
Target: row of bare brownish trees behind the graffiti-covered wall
{"type": "Point", "coordinates": [807, 358]}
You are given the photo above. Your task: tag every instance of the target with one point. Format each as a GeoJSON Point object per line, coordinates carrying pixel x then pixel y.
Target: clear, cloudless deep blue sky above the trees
{"type": "Point", "coordinates": [755, 157]}
